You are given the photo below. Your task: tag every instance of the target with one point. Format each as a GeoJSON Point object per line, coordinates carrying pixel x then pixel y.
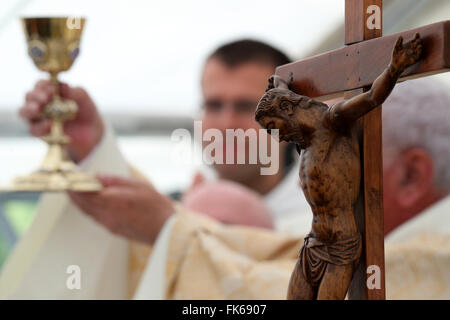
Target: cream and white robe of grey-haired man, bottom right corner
{"type": "Point", "coordinates": [418, 256]}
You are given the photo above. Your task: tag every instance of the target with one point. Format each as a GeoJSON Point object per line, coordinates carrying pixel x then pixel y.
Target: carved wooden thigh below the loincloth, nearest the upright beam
{"type": "Point", "coordinates": [335, 282]}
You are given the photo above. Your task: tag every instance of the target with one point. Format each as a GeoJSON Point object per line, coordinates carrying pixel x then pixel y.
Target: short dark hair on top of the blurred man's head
{"type": "Point", "coordinates": [235, 53]}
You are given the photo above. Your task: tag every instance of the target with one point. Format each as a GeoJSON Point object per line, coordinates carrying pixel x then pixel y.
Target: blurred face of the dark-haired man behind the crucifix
{"type": "Point", "coordinates": [230, 96]}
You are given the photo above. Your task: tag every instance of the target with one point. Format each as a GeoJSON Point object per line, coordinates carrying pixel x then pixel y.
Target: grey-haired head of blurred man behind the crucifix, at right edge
{"type": "Point", "coordinates": [416, 149]}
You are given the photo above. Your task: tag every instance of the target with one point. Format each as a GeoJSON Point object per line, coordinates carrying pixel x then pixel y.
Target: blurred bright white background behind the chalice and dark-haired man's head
{"type": "Point", "coordinates": [146, 56]}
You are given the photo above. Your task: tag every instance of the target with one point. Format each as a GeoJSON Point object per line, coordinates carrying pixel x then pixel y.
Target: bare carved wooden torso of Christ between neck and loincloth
{"type": "Point", "coordinates": [330, 174]}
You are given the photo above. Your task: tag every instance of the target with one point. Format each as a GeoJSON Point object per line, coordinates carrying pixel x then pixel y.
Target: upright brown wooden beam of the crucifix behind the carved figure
{"type": "Point", "coordinates": [363, 21]}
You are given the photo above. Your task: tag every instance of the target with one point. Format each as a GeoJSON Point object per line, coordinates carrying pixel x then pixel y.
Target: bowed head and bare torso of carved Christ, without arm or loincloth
{"type": "Point", "coordinates": [330, 168]}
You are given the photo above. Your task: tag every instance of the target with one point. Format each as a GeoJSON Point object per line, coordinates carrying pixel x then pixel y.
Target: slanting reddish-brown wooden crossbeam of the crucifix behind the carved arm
{"type": "Point", "coordinates": [357, 66]}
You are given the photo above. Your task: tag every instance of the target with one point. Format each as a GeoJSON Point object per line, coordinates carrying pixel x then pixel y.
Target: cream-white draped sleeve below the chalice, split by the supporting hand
{"type": "Point", "coordinates": [60, 237]}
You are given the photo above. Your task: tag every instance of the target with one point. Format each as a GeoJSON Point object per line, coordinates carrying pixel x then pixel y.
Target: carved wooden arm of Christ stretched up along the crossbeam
{"type": "Point", "coordinates": [348, 111]}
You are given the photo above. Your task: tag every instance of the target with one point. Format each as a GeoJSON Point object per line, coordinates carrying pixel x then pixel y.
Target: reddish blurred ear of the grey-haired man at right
{"type": "Point", "coordinates": [416, 178]}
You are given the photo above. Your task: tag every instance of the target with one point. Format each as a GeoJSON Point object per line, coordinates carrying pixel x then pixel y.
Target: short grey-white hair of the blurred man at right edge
{"type": "Point", "coordinates": [417, 115]}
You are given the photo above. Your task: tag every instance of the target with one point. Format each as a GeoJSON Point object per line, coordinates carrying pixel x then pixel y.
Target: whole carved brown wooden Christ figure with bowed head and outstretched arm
{"type": "Point", "coordinates": [330, 172]}
